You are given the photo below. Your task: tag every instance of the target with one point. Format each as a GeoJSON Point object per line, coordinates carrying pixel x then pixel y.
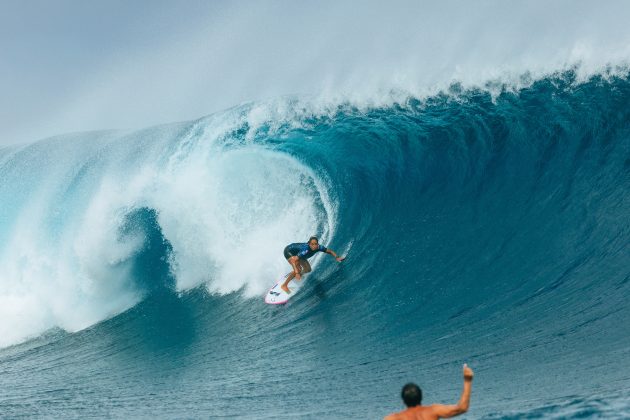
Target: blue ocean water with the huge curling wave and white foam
{"type": "Point", "coordinates": [484, 226]}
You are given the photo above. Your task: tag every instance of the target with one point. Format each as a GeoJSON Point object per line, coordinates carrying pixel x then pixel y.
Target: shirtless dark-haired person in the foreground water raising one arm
{"type": "Point", "coordinates": [412, 396]}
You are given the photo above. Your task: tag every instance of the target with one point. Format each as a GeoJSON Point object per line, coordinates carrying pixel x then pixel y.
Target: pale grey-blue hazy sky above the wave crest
{"type": "Point", "coordinates": [79, 65]}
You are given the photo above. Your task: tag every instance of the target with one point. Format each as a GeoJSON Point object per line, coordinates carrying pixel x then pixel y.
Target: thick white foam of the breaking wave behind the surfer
{"type": "Point", "coordinates": [226, 211]}
